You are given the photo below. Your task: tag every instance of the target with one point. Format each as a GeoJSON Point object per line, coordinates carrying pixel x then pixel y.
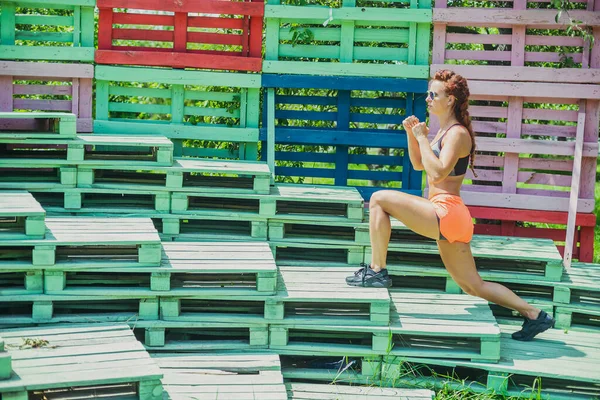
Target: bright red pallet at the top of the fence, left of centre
{"type": "Point", "coordinates": [212, 34]}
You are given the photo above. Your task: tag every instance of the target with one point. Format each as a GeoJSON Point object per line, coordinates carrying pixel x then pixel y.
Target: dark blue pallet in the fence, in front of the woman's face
{"type": "Point", "coordinates": [343, 122]}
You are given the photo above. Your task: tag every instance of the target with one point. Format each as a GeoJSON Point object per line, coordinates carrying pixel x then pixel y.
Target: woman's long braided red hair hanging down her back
{"type": "Point", "coordinates": [455, 85]}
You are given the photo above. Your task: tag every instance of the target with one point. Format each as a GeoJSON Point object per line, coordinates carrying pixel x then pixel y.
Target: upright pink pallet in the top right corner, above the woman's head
{"type": "Point", "coordinates": [522, 43]}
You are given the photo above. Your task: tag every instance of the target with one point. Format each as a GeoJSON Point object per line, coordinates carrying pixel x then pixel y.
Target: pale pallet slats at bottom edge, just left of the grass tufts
{"type": "Point", "coordinates": [311, 391]}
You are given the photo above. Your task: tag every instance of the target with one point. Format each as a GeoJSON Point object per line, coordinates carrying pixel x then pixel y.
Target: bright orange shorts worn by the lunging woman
{"type": "Point", "coordinates": [456, 223]}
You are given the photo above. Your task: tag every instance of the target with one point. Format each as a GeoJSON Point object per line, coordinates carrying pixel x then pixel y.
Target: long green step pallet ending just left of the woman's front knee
{"type": "Point", "coordinates": [284, 201]}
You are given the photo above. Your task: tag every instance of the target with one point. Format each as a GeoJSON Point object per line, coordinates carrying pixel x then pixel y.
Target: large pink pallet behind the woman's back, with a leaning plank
{"type": "Point", "coordinates": [527, 157]}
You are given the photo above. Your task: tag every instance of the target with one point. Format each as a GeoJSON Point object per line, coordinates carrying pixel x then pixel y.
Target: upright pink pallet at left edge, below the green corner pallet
{"type": "Point", "coordinates": [64, 87]}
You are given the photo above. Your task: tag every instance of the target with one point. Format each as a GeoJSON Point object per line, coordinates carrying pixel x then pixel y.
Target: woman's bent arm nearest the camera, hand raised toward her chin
{"type": "Point", "coordinates": [438, 169]}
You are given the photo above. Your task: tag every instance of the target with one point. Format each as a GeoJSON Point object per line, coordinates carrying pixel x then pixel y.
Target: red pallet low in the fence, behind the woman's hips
{"type": "Point", "coordinates": [506, 224]}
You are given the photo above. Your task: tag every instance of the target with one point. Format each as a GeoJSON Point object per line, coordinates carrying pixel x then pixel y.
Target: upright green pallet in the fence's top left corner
{"type": "Point", "coordinates": [74, 29]}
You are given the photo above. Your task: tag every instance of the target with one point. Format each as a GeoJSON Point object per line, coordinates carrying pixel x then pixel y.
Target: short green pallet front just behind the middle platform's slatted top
{"type": "Point", "coordinates": [195, 228]}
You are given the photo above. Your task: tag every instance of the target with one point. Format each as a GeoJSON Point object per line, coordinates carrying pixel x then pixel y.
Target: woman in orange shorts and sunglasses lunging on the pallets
{"type": "Point", "coordinates": [444, 217]}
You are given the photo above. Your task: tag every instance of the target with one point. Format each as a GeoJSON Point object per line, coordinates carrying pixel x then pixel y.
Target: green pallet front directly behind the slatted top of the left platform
{"type": "Point", "coordinates": [101, 202]}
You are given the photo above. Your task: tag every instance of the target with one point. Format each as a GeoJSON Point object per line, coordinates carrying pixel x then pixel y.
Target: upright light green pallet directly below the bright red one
{"type": "Point", "coordinates": [184, 109]}
